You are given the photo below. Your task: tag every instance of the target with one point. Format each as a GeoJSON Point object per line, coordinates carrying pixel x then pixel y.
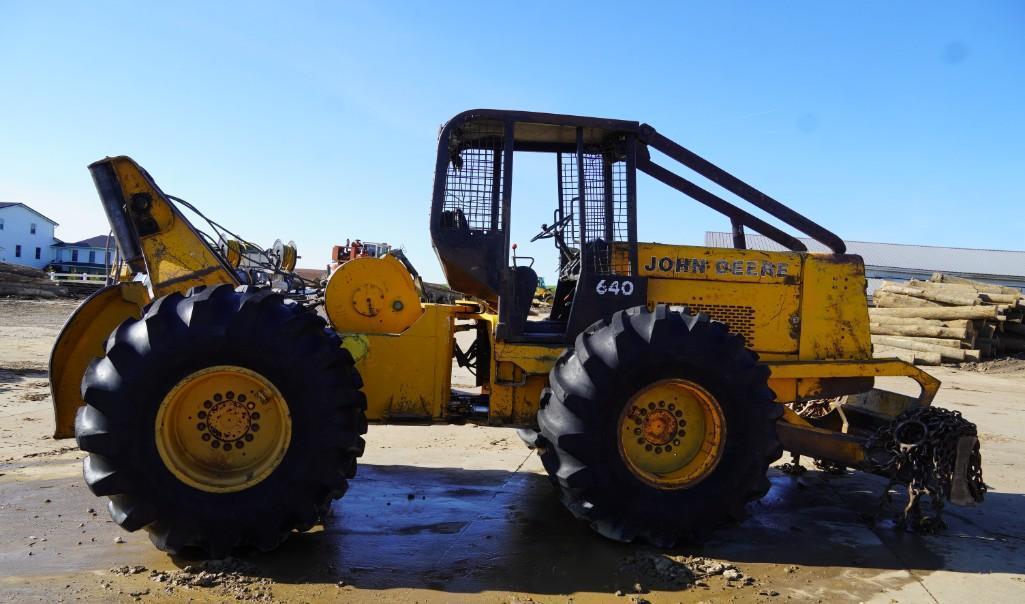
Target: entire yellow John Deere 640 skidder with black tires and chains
{"type": "Point", "coordinates": [220, 411]}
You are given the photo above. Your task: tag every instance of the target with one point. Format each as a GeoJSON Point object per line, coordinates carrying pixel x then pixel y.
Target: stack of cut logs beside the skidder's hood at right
{"type": "Point", "coordinates": [947, 320]}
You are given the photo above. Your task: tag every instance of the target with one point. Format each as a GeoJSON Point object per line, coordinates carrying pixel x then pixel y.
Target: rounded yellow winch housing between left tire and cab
{"type": "Point", "coordinates": [373, 296]}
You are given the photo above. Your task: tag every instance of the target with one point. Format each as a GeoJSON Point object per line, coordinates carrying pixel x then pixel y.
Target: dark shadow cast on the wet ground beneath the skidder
{"type": "Point", "coordinates": [471, 532]}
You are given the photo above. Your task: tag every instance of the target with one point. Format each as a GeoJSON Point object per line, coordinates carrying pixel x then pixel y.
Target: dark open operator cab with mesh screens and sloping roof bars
{"type": "Point", "coordinates": [593, 227]}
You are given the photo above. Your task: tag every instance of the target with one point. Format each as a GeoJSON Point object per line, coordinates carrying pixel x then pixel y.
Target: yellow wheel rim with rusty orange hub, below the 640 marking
{"type": "Point", "coordinates": [672, 434]}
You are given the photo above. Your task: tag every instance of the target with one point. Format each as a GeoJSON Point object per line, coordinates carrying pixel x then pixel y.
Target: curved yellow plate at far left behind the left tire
{"type": "Point", "coordinates": [84, 339]}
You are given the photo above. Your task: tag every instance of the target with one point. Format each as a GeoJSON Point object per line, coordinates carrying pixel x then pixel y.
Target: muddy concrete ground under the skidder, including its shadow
{"type": "Point", "coordinates": [461, 513]}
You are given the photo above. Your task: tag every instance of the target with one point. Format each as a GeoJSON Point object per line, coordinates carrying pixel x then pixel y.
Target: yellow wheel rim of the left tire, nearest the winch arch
{"type": "Point", "coordinates": [223, 429]}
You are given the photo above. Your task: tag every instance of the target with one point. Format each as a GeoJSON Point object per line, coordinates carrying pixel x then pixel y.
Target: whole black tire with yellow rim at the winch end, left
{"type": "Point", "coordinates": [222, 421]}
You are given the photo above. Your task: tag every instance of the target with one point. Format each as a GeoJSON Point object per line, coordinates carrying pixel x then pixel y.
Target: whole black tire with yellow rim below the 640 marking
{"type": "Point", "coordinates": [659, 427]}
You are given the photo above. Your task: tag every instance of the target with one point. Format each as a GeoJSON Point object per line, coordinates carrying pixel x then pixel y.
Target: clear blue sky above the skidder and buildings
{"type": "Point", "coordinates": [884, 122]}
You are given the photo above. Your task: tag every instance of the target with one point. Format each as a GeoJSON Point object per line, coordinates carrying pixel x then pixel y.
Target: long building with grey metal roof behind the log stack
{"type": "Point", "coordinates": [896, 262]}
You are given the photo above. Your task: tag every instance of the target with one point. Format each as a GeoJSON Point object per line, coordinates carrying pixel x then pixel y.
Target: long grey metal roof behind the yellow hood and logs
{"type": "Point", "coordinates": [996, 263]}
